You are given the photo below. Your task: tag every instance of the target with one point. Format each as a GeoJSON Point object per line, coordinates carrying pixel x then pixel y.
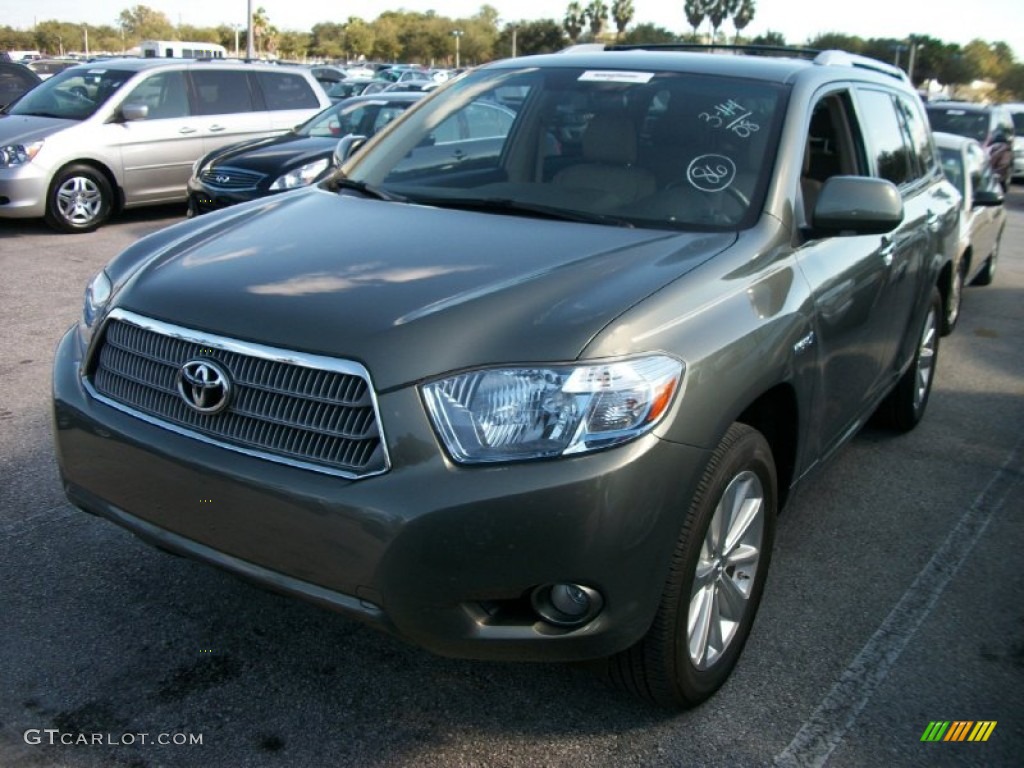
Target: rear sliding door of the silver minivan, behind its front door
{"type": "Point", "coordinates": [227, 107]}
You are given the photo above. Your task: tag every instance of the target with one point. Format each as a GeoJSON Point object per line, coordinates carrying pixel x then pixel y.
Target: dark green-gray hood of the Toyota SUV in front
{"type": "Point", "coordinates": [409, 291]}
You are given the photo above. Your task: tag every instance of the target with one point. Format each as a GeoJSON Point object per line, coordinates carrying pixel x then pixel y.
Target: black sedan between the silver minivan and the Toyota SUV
{"type": "Point", "coordinates": [255, 169]}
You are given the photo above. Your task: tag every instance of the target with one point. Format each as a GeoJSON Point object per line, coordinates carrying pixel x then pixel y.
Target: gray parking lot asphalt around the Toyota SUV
{"type": "Point", "coordinates": [895, 601]}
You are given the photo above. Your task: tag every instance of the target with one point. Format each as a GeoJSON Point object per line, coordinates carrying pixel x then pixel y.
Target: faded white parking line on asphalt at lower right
{"type": "Point", "coordinates": [819, 738]}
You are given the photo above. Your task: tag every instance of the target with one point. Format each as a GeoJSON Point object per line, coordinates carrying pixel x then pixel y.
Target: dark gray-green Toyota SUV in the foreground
{"type": "Point", "coordinates": [541, 400]}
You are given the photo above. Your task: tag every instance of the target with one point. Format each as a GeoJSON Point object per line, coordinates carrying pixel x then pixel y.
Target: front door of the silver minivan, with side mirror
{"type": "Point", "coordinates": [158, 151]}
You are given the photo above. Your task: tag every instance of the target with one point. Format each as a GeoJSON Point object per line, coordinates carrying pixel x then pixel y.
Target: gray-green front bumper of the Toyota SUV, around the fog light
{"type": "Point", "coordinates": [444, 557]}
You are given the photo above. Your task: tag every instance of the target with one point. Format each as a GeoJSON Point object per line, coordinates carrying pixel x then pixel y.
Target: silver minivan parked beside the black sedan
{"type": "Point", "coordinates": [121, 134]}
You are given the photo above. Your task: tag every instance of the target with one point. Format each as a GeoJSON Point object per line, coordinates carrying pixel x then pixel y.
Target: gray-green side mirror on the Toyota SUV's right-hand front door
{"type": "Point", "coordinates": [858, 205]}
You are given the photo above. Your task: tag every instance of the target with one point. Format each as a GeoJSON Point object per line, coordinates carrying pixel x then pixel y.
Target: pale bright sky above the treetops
{"type": "Point", "coordinates": [797, 20]}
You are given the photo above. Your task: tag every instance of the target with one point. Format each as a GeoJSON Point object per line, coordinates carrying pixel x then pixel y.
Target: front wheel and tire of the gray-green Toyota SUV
{"type": "Point", "coordinates": [715, 582]}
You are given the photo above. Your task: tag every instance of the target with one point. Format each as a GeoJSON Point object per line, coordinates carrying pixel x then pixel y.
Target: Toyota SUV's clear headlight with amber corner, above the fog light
{"type": "Point", "coordinates": [507, 414]}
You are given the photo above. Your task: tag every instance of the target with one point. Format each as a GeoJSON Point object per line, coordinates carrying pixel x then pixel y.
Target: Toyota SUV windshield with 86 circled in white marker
{"type": "Point", "coordinates": [637, 149]}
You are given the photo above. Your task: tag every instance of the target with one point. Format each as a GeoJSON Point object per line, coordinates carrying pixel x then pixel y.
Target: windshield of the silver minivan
{"type": "Point", "coordinates": [72, 95]}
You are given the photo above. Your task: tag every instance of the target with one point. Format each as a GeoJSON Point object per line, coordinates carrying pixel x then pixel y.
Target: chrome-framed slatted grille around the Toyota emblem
{"type": "Point", "coordinates": [315, 412]}
